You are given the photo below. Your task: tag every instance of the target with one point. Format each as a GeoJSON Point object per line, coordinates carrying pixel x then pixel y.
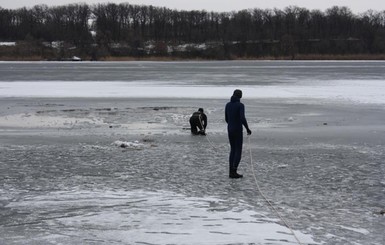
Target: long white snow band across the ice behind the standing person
{"type": "Point", "coordinates": [359, 91]}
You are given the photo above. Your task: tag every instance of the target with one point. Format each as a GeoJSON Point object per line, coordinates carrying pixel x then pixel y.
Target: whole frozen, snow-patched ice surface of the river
{"type": "Point", "coordinates": [317, 150]}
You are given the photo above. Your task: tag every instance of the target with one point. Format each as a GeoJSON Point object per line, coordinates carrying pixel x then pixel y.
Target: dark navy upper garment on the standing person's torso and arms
{"type": "Point", "coordinates": [235, 116]}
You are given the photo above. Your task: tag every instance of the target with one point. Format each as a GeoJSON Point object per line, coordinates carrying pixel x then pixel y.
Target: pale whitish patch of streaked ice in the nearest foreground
{"type": "Point", "coordinates": [140, 217]}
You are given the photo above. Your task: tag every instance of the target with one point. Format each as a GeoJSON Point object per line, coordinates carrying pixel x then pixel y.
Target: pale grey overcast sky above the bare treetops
{"type": "Point", "coordinates": [357, 6]}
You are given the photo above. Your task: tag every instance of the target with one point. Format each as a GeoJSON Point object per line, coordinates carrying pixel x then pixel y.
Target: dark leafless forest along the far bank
{"type": "Point", "coordinates": [124, 30]}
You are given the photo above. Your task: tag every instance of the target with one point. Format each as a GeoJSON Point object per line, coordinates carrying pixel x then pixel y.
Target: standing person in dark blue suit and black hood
{"type": "Point", "coordinates": [235, 119]}
